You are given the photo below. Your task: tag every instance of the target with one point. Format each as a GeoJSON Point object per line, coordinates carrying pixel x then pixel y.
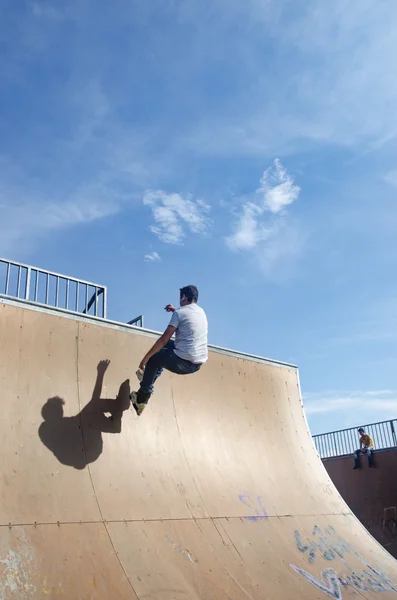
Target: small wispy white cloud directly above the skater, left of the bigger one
{"type": "Point", "coordinates": [175, 215]}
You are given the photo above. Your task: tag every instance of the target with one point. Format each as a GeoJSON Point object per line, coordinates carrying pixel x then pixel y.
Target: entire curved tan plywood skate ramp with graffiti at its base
{"type": "Point", "coordinates": [215, 493]}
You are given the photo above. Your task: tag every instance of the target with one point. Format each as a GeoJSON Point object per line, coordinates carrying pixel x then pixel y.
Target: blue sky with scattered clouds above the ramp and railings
{"type": "Point", "coordinates": [247, 147]}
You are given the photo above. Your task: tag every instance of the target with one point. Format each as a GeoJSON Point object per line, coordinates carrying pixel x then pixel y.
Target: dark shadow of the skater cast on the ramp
{"type": "Point", "coordinates": [77, 441]}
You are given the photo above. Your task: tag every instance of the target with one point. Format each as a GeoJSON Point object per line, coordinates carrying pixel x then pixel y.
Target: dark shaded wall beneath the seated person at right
{"type": "Point", "coordinates": [368, 492]}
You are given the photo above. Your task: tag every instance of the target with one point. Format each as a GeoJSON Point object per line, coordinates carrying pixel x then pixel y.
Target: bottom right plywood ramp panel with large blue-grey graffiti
{"type": "Point", "coordinates": [305, 557]}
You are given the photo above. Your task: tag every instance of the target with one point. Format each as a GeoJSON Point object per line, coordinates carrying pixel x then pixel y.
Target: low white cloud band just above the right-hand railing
{"type": "Point", "coordinates": [383, 402]}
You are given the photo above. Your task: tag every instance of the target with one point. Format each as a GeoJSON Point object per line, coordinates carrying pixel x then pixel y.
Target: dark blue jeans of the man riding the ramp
{"type": "Point", "coordinates": [163, 359]}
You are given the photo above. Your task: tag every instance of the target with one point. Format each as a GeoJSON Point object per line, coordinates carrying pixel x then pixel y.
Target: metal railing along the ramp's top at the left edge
{"type": "Point", "coordinates": [18, 280]}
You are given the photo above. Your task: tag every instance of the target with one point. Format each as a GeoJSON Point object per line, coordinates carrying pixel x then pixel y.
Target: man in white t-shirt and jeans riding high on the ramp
{"type": "Point", "coordinates": [184, 356]}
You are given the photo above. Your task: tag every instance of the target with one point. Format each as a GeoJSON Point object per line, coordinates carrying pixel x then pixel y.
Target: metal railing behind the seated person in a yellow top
{"type": "Point", "coordinates": [346, 441]}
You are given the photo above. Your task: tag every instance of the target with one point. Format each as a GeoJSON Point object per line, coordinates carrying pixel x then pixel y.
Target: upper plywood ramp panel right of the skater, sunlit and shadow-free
{"type": "Point", "coordinates": [245, 439]}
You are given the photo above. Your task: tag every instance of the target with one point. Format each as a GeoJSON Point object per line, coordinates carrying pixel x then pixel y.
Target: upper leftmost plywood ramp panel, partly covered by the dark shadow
{"type": "Point", "coordinates": [43, 458]}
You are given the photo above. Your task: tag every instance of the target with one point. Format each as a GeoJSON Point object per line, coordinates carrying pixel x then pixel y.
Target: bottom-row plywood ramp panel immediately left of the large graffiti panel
{"type": "Point", "coordinates": [167, 560]}
